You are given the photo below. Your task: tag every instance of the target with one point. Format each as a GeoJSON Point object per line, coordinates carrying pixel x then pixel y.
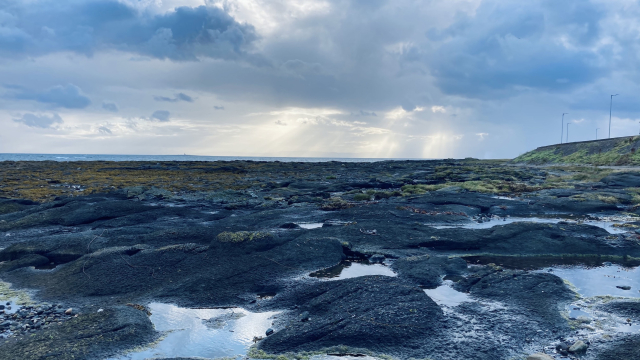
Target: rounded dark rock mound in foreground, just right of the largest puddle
{"type": "Point", "coordinates": [378, 313]}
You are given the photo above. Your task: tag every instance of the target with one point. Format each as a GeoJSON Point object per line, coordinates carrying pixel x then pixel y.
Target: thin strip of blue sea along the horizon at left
{"type": "Point", "coordinates": [98, 157]}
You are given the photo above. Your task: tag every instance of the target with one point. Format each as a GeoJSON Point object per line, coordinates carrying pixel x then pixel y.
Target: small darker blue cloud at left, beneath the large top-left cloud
{"type": "Point", "coordinates": [69, 96]}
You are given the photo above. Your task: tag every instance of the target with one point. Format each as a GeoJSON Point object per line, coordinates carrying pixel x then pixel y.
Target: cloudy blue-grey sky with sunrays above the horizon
{"type": "Point", "coordinates": [316, 78]}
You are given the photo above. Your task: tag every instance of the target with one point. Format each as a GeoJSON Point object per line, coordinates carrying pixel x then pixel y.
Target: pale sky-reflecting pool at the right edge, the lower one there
{"type": "Point", "coordinates": [602, 280]}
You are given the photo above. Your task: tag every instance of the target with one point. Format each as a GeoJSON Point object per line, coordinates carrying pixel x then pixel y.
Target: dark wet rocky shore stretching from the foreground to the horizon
{"type": "Point", "coordinates": [249, 235]}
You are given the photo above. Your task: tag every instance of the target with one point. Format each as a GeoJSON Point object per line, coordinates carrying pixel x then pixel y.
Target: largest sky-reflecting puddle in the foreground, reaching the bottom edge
{"type": "Point", "coordinates": [203, 333]}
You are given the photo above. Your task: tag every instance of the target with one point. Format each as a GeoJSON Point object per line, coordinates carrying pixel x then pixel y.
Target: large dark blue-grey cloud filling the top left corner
{"type": "Point", "coordinates": [46, 26]}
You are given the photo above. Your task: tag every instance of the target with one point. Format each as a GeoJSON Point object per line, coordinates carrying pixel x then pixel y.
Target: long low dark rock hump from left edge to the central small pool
{"type": "Point", "coordinates": [217, 273]}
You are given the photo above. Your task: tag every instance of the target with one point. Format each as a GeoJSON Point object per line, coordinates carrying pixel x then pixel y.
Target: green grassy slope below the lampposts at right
{"type": "Point", "coordinates": [616, 151]}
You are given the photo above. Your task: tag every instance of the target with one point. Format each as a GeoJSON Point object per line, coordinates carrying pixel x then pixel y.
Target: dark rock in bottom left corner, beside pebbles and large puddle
{"type": "Point", "coordinates": [89, 336]}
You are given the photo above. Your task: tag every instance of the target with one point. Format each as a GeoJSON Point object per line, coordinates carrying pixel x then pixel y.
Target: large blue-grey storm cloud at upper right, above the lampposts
{"type": "Point", "coordinates": [509, 44]}
